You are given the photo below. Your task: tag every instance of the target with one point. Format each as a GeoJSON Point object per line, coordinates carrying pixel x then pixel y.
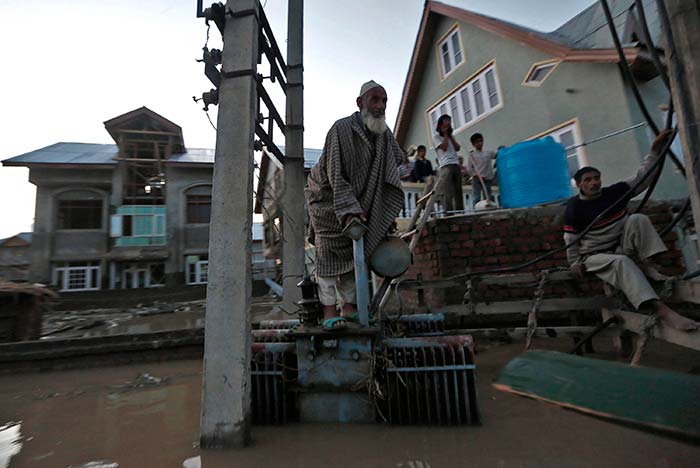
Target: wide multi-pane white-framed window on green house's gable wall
{"type": "Point", "coordinates": [467, 89]}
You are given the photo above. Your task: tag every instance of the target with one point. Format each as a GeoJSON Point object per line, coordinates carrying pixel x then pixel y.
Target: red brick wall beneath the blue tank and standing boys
{"type": "Point", "coordinates": [480, 242]}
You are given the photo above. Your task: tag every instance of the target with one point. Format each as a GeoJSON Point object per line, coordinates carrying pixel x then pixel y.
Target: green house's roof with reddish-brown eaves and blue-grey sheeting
{"type": "Point", "coordinates": [560, 43]}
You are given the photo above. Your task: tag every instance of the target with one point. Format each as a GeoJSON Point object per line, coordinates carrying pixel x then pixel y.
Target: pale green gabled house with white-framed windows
{"type": "Point", "coordinates": [511, 84]}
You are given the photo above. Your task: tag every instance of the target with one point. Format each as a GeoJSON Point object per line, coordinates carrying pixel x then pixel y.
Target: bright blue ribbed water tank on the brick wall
{"type": "Point", "coordinates": [532, 172]}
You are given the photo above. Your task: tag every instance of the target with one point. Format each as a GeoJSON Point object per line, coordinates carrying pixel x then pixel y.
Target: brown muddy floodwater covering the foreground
{"type": "Point", "coordinates": [147, 416]}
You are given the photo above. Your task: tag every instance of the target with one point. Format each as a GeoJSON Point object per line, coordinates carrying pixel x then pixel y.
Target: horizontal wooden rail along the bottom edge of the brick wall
{"type": "Point", "coordinates": [523, 307]}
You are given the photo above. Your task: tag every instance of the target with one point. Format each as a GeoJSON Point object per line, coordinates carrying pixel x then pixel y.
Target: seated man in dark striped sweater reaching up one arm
{"type": "Point", "coordinates": [610, 248]}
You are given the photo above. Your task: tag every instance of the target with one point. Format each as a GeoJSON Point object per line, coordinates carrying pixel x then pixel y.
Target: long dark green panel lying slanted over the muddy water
{"type": "Point", "coordinates": [645, 397]}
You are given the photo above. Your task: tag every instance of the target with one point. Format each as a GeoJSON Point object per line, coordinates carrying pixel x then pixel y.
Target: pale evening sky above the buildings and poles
{"type": "Point", "coordinates": [68, 66]}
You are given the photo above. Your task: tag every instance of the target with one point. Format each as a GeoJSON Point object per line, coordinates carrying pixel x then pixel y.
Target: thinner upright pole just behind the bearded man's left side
{"type": "Point", "coordinates": [293, 197]}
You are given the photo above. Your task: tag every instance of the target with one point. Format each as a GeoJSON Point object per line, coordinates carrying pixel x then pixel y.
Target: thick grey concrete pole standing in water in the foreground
{"type": "Point", "coordinates": [227, 385]}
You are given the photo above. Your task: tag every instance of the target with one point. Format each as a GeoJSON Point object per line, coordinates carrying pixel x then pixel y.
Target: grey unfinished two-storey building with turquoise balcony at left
{"type": "Point", "coordinates": [133, 214]}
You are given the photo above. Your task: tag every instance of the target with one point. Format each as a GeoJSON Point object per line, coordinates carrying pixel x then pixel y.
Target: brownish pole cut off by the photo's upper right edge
{"type": "Point", "coordinates": [683, 57]}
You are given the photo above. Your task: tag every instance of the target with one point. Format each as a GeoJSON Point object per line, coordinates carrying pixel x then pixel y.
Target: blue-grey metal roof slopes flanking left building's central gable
{"type": "Point", "coordinates": [96, 156]}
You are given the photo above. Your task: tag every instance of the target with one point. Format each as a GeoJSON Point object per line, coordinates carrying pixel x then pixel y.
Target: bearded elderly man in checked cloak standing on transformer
{"type": "Point", "coordinates": [356, 177]}
